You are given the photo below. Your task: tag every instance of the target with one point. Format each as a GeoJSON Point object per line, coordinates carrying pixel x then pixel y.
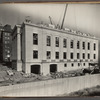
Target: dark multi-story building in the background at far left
{"type": "Point", "coordinates": [6, 43]}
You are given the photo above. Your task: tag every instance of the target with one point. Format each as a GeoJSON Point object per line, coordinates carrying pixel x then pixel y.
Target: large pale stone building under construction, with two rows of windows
{"type": "Point", "coordinates": [44, 49]}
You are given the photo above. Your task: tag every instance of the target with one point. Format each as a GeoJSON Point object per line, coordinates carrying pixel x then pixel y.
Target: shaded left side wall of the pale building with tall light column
{"type": "Point", "coordinates": [16, 49]}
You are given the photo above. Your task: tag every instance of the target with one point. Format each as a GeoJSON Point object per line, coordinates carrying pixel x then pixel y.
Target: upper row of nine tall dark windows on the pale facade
{"type": "Point", "coordinates": [35, 41]}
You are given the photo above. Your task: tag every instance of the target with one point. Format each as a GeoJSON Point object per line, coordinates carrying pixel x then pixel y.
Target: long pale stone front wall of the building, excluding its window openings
{"type": "Point", "coordinates": [28, 47]}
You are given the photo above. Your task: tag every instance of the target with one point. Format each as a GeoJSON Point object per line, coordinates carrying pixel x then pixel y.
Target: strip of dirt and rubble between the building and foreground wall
{"type": "Point", "coordinates": [11, 77]}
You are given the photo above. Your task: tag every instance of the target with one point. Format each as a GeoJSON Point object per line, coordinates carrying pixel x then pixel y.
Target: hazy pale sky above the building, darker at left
{"type": "Point", "coordinates": [82, 17]}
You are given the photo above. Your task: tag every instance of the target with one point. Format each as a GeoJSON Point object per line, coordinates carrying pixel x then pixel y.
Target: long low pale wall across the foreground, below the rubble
{"type": "Point", "coordinates": [51, 87]}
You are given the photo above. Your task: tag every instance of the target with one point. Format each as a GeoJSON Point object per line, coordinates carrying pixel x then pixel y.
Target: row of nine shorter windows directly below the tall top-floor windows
{"type": "Point", "coordinates": [35, 55]}
